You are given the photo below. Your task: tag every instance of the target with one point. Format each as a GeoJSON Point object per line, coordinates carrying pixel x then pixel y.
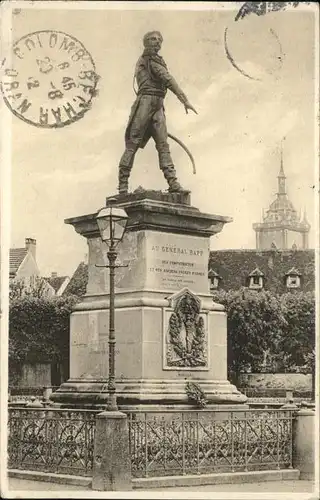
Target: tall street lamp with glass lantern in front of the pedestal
{"type": "Point", "coordinates": [112, 223]}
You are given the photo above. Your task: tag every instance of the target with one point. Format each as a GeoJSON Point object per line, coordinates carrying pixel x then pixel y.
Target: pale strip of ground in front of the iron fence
{"type": "Point", "coordinates": [263, 487]}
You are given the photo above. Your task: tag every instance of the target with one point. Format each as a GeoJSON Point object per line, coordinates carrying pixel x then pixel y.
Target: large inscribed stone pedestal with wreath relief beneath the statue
{"type": "Point", "coordinates": [168, 330]}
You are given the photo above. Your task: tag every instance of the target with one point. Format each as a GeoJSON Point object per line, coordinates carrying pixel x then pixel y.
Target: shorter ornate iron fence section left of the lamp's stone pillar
{"type": "Point", "coordinates": [51, 440]}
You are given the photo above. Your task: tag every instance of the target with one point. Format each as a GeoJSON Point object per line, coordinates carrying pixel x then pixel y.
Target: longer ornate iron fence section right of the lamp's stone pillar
{"type": "Point", "coordinates": [202, 442]}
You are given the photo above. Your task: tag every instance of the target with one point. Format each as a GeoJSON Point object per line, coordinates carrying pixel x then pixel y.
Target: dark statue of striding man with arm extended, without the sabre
{"type": "Point", "coordinates": [147, 118]}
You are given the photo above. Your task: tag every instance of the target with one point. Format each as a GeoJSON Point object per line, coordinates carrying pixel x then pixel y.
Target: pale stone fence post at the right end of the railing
{"type": "Point", "coordinates": [303, 443]}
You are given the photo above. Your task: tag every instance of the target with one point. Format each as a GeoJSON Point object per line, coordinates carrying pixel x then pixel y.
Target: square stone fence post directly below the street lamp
{"type": "Point", "coordinates": [111, 458]}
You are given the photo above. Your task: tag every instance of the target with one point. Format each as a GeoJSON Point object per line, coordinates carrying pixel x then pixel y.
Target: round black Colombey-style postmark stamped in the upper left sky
{"type": "Point", "coordinates": [50, 81]}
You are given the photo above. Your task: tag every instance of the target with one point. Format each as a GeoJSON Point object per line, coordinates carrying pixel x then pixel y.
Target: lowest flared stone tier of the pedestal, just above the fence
{"type": "Point", "coordinates": [137, 392]}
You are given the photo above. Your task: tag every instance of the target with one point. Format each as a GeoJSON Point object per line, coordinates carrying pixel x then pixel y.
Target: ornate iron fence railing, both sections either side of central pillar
{"type": "Point", "coordinates": [161, 443]}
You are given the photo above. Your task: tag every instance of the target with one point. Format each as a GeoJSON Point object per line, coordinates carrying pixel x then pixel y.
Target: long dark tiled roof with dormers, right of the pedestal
{"type": "Point", "coordinates": [235, 267]}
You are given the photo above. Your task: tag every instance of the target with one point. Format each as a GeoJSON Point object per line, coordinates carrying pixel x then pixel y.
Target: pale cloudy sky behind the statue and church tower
{"type": "Point", "coordinates": [235, 138]}
